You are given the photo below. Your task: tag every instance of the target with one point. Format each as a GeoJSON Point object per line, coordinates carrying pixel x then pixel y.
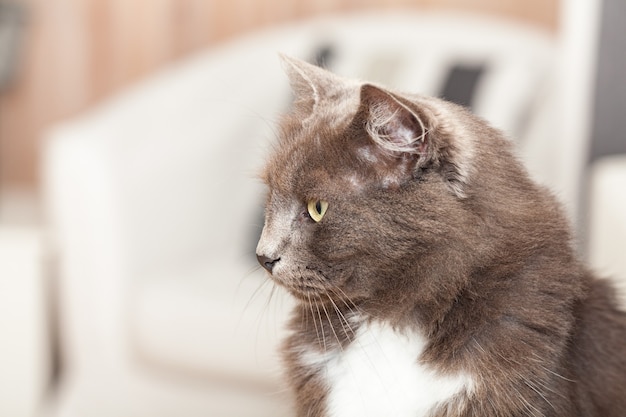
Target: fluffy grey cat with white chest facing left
{"type": "Point", "coordinates": [432, 276]}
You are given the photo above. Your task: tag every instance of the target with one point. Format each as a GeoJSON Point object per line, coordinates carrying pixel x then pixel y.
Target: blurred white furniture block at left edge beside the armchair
{"type": "Point", "coordinates": [24, 361]}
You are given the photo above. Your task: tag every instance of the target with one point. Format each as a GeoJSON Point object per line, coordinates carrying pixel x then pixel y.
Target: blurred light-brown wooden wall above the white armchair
{"type": "Point", "coordinates": [77, 52]}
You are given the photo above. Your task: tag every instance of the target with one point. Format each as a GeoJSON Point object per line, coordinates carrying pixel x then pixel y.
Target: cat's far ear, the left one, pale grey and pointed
{"type": "Point", "coordinates": [312, 85]}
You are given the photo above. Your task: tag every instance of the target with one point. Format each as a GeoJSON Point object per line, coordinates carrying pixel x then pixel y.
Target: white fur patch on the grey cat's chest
{"type": "Point", "coordinates": [379, 374]}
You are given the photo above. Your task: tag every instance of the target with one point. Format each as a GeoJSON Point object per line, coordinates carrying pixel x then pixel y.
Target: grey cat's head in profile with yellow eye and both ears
{"type": "Point", "coordinates": [365, 186]}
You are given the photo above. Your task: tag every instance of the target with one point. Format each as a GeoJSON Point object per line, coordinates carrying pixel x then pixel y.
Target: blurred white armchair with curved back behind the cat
{"type": "Point", "coordinates": [153, 207]}
